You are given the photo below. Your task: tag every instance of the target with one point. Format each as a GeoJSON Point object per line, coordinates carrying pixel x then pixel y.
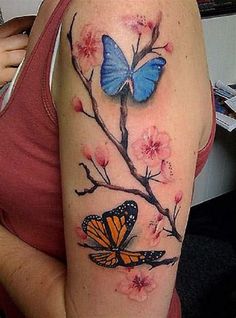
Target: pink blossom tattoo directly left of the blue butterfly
{"type": "Point", "coordinates": [88, 49]}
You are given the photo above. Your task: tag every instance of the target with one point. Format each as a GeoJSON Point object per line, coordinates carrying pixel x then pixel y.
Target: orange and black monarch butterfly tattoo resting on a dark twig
{"type": "Point", "coordinates": [110, 235]}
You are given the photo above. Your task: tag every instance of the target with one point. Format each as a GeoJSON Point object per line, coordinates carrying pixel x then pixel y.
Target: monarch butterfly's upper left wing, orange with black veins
{"type": "Point", "coordinates": [94, 227]}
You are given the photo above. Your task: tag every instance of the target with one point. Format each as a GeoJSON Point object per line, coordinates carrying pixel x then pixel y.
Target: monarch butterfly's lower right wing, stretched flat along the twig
{"type": "Point", "coordinates": [131, 259]}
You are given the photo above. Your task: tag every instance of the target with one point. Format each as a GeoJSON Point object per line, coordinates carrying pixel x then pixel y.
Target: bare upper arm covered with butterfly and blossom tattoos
{"type": "Point", "coordinates": [128, 161]}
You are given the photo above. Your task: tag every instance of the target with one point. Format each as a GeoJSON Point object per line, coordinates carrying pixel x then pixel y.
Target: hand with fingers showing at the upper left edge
{"type": "Point", "coordinates": [13, 44]}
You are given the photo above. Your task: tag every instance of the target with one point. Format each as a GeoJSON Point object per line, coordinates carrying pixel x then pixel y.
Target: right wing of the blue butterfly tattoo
{"type": "Point", "coordinates": [146, 78]}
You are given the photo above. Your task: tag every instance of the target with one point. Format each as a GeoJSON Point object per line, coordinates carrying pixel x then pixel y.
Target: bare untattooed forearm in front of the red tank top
{"type": "Point", "coordinates": [34, 280]}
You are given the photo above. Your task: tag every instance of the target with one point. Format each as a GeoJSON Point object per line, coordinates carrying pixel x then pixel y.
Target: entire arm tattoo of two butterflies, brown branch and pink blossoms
{"type": "Point", "coordinates": [109, 235]}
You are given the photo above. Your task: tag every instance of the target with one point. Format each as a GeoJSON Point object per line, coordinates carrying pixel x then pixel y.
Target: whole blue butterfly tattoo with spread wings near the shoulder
{"type": "Point", "coordinates": [116, 73]}
